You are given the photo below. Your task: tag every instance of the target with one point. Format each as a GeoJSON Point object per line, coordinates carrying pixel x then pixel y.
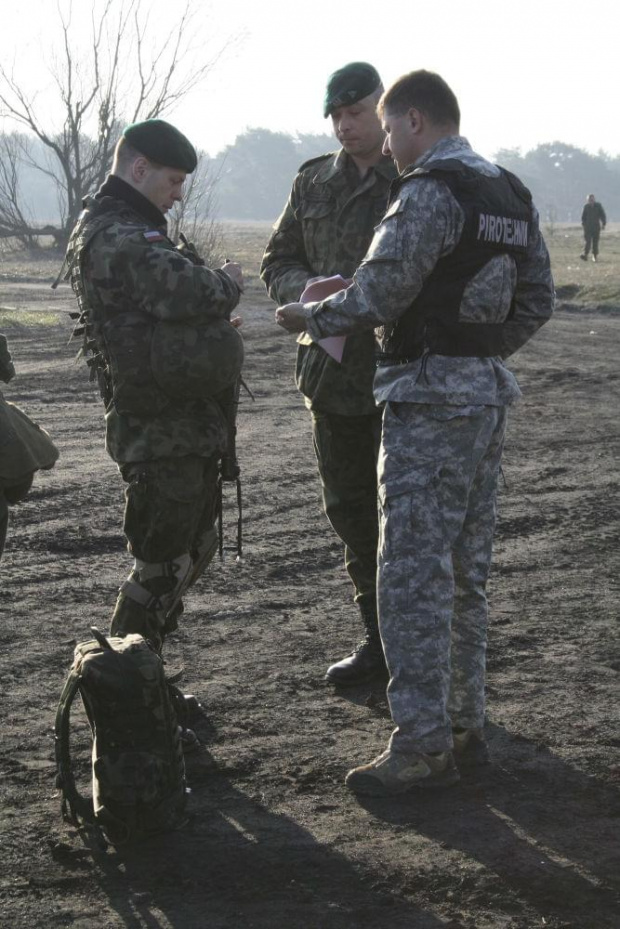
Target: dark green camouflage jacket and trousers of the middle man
{"type": "Point", "coordinates": [324, 230]}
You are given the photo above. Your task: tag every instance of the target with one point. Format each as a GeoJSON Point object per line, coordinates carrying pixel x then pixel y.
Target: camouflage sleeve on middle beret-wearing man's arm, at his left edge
{"type": "Point", "coordinates": [285, 268]}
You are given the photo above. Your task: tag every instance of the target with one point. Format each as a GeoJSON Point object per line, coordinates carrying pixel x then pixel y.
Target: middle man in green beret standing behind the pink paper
{"type": "Point", "coordinates": [325, 229]}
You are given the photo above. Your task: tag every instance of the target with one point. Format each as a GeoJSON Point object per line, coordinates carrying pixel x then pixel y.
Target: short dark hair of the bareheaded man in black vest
{"type": "Point", "coordinates": [427, 92]}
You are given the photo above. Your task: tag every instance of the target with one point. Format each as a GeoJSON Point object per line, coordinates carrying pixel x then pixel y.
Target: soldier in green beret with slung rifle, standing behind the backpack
{"type": "Point", "coordinates": [145, 307]}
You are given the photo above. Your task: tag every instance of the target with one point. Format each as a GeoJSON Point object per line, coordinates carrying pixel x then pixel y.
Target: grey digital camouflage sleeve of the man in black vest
{"type": "Point", "coordinates": [421, 226]}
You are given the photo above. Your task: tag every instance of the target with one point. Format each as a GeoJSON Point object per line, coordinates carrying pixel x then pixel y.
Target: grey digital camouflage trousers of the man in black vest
{"type": "Point", "coordinates": [438, 472]}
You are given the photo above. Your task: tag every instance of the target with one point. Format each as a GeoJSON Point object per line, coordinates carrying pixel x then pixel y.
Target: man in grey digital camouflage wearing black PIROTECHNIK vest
{"type": "Point", "coordinates": [467, 272]}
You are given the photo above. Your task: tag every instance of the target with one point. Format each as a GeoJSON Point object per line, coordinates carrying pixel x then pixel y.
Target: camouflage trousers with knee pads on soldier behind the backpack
{"type": "Point", "coordinates": [170, 512]}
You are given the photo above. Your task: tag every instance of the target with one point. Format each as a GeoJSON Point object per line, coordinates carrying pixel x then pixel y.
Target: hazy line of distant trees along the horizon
{"type": "Point", "coordinates": [251, 180]}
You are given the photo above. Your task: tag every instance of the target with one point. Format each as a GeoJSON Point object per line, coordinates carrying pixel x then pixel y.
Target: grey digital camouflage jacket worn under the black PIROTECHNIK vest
{"type": "Point", "coordinates": [422, 224]}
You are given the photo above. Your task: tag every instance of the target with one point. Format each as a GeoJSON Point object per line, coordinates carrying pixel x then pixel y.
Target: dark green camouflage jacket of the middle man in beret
{"type": "Point", "coordinates": [325, 229]}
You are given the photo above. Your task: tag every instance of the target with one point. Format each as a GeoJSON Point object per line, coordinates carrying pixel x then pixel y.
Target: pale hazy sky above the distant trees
{"type": "Point", "coordinates": [526, 72]}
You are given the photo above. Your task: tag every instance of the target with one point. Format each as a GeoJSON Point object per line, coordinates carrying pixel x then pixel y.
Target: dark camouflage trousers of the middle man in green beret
{"type": "Point", "coordinates": [346, 450]}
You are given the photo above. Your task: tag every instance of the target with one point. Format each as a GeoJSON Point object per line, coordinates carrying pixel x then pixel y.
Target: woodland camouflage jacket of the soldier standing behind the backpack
{"type": "Point", "coordinates": [128, 277]}
